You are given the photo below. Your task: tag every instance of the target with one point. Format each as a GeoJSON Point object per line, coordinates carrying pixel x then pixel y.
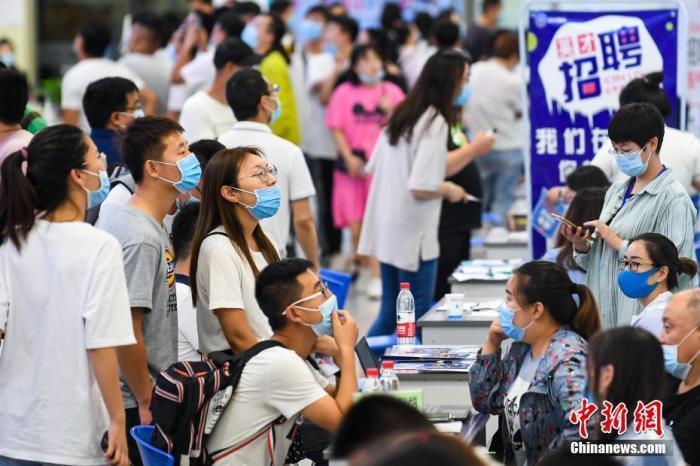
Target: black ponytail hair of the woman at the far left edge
{"type": "Point", "coordinates": [50, 156]}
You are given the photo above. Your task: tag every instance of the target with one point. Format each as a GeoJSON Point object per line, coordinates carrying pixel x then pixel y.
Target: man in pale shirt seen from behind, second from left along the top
{"type": "Point", "coordinates": [143, 58]}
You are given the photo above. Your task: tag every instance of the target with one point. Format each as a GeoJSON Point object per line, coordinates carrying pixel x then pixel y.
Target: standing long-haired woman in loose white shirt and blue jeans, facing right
{"type": "Point", "coordinates": [408, 167]}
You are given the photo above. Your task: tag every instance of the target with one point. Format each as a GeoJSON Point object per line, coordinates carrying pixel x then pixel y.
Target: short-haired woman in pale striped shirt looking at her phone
{"type": "Point", "coordinates": [651, 200]}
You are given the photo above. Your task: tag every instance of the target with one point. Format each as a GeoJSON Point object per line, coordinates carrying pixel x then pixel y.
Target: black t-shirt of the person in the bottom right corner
{"type": "Point", "coordinates": [682, 414]}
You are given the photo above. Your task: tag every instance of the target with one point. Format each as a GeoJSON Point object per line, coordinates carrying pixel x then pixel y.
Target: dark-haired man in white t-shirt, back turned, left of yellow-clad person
{"type": "Point", "coordinates": [207, 115]}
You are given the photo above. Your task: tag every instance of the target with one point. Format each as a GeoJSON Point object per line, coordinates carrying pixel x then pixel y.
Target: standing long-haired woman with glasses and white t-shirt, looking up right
{"type": "Point", "coordinates": [230, 248]}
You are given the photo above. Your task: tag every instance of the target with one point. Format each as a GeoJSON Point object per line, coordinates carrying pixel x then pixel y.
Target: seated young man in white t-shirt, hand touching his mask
{"type": "Point", "coordinates": [278, 388]}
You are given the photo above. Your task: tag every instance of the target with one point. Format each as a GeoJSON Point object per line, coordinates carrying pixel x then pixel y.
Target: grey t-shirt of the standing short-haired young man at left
{"type": "Point", "coordinates": [149, 267]}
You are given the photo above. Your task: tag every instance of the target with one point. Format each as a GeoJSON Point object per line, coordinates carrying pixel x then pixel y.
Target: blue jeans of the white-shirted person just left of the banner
{"type": "Point", "coordinates": [500, 172]}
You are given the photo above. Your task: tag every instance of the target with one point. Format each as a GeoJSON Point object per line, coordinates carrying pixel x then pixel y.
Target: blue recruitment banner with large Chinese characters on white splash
{"type": "Point", "coordinates": [578, 64]}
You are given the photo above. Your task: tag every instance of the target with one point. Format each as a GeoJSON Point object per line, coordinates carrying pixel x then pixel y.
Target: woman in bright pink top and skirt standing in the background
{"type": "Point", "coordinates": [355, 115]}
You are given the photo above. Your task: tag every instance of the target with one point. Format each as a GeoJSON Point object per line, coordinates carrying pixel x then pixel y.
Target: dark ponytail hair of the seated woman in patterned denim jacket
{"type": "Point", "coordinates": [549, 284]}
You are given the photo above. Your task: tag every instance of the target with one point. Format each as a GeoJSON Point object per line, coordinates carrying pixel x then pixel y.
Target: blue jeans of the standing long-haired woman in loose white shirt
{"type": "Point", "coordinates": [422, 287]}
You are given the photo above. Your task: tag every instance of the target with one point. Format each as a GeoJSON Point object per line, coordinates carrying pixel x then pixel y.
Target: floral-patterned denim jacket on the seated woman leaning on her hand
{"type": "Point", "coordinates": [556, 389]}
